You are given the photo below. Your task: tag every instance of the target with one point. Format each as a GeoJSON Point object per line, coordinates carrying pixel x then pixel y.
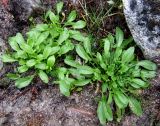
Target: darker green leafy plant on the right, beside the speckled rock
{"type": "Point", "coordinates": [117, 71]}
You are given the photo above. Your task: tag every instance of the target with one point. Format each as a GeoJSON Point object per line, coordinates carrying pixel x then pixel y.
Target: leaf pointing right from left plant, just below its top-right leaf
{"type": "Point", "coordinates": [77, 35]}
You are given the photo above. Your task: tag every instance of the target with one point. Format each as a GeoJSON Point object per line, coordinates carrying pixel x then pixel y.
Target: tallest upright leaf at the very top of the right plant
{"type": "Point", "coordinates": [119, 36]}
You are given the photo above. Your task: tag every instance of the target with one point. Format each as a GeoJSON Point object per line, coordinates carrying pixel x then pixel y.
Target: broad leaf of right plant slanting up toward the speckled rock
{"type": "Point", "coordinates": [128, 55]}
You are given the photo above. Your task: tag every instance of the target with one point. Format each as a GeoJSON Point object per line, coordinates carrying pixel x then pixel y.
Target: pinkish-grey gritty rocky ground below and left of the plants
{"type": "Point", "coordinates": [43, 105]}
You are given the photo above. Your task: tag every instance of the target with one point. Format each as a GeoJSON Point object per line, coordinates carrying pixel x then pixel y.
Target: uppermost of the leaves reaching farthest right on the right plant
{"type": "Point", "coordinates": [147, 65]}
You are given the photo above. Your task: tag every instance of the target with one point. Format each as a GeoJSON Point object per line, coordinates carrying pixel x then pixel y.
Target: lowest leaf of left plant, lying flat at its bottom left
{"type": "Point", "coordinates": [23, 82]}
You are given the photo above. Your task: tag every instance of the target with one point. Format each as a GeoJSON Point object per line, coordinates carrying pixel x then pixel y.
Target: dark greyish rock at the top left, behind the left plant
{"type": "Point", "coordinates": [23, 9]}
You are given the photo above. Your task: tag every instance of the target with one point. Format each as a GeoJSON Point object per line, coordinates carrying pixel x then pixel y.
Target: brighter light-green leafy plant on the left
{"type": "Point", "coordinates": [43, 44]}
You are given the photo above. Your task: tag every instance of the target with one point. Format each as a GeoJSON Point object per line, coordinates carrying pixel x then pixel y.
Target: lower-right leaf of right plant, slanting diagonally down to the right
{"type": "Point", "coordinates": [135, 106]}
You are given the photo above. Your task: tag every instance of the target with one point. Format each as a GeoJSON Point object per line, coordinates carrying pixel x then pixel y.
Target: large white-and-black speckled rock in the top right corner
{"type": "Point", "coordinates": [143, 18]}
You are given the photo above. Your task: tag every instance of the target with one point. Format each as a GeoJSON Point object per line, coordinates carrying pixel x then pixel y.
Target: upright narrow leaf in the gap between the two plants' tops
{"type": "Point", "coordinates": [87, 45]}
